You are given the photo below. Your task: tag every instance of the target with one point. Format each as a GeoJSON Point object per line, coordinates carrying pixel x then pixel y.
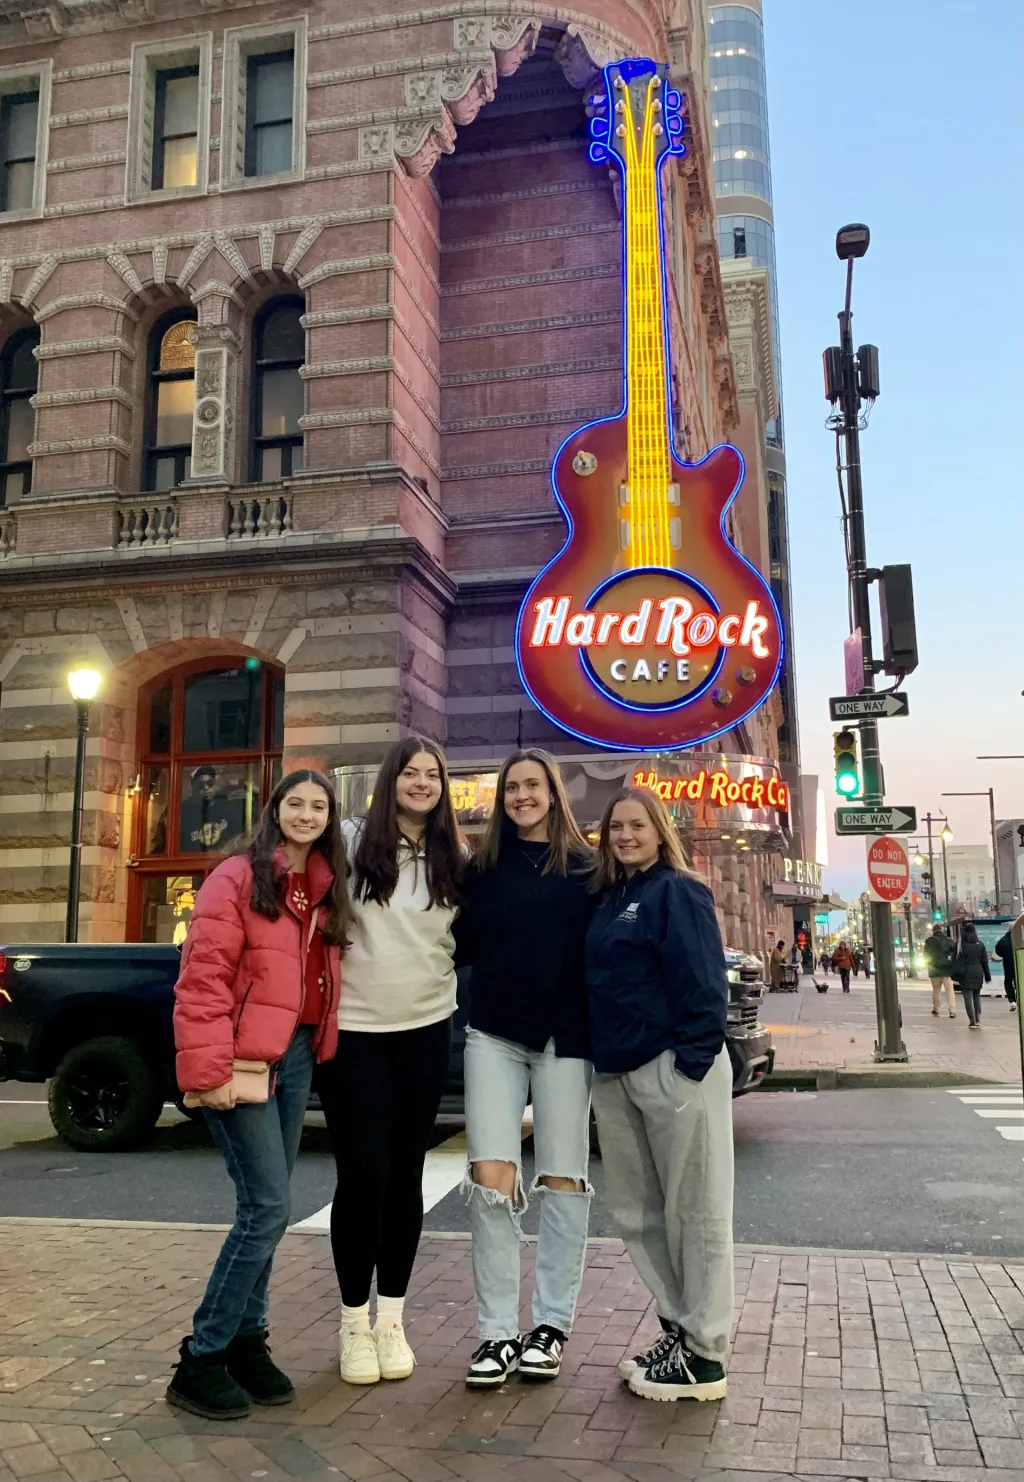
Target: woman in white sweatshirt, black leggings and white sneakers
{"type": "Point", "coordinates": [382, 1091]}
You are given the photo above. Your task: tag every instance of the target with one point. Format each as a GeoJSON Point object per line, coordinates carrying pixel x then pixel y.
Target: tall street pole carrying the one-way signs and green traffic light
{"type": "Point", "coordinates": [887, 1000]}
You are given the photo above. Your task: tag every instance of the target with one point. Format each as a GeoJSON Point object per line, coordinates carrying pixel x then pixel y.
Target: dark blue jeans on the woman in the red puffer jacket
{"type": "Point", "coordinates": [260, 1146]}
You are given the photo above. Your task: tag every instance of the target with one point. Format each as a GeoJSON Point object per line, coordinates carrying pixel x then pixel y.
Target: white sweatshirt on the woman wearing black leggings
{"type": "Point", "coordinates": [399, 971]}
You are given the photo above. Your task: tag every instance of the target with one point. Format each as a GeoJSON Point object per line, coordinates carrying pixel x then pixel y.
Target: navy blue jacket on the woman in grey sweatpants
{"type": "Point", "coordinates": [656, 974]}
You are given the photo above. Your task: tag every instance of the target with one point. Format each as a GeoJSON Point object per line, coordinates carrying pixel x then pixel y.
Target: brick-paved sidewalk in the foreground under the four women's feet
{"type": "Point", "coordinates": [842, 1367]}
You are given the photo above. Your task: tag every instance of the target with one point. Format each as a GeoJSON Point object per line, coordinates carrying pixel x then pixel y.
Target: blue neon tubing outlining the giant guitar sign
{"type": "Point", "coordinates": [631, 67]}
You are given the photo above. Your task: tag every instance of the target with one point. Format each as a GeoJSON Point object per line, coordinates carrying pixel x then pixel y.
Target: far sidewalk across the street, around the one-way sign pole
{"type": "Point", "coordinates": [837, 1032]}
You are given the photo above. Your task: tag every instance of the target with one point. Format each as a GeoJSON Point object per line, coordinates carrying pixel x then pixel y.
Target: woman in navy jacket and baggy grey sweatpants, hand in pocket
{"type": "Point", "coordinates": [663, 1091]}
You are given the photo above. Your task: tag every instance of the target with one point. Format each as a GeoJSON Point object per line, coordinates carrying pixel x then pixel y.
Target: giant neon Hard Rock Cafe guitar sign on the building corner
{"type": "Point", "coordinates": [648, 632]}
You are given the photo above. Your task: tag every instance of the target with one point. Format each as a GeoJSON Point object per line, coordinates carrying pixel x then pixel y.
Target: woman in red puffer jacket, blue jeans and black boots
{"type": "Point", "coordinates": [256, 1007]}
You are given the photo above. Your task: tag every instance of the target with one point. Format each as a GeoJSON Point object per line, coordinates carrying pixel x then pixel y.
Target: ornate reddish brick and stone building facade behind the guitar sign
{"type": "Point", "coordinates": [313, 296]}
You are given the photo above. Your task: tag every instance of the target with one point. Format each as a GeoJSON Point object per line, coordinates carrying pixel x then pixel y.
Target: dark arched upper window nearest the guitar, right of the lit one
{"type": "Point", "coordinates": [279, 350]}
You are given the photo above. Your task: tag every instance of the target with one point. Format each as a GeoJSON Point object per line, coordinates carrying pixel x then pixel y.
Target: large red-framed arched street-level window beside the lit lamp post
{"type": "Point", "coordinates": [210, 755]}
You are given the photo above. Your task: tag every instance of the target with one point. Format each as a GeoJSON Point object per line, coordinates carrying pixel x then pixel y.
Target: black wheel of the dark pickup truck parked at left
{"type": "Point", "coordinates": [106, 1096]}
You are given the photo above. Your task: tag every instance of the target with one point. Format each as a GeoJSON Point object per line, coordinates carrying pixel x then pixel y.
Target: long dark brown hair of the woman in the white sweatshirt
{"type": "Point", "coordinates": [376, 863]}
